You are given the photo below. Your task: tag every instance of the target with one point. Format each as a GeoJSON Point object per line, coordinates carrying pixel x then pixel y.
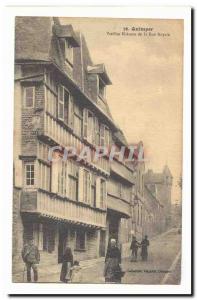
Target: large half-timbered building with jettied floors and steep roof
{"type": "Point", "coordinates": [60, 100]}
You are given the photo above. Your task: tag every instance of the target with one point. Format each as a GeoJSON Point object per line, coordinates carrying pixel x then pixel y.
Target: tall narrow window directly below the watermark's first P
{"type": "Point", "coordinates": [73, 181]}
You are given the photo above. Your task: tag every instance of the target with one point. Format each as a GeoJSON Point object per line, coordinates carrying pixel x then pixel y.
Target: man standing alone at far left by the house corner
{"type": "Point", "coordinates": [31, 258]}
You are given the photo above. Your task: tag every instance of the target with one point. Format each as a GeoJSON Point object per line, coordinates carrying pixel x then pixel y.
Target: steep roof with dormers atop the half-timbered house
{"type": "Point", "coordinates": [40, 38]}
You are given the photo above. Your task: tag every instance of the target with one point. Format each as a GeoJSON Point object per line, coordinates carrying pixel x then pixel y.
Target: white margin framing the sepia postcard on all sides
{"type": "Point", "coordinates": [6, 119]}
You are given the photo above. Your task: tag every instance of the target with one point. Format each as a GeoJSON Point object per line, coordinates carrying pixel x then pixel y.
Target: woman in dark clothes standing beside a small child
{"type": "Point", "coordinates": [67, 263]}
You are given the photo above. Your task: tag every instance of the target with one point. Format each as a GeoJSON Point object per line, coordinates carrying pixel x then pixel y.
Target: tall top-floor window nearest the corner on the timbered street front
{"type": "Point", "coordinates": [63, 104]}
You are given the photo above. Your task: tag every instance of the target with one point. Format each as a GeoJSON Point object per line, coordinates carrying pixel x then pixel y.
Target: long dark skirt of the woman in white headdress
{"type": "Point", "coordinates": [112, 270]}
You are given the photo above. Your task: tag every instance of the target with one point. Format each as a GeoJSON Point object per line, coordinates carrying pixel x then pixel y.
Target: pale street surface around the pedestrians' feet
{"type": "Point", "coordinates": [163, 265]}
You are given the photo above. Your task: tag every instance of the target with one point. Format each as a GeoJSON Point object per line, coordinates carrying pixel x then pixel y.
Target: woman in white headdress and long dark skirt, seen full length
{"type": "Point", "coordinates": [113, 272]}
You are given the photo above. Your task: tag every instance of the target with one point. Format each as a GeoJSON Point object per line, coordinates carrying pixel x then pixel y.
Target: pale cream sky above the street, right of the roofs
{"type": "Point", "coordinates": [145, 97]}
